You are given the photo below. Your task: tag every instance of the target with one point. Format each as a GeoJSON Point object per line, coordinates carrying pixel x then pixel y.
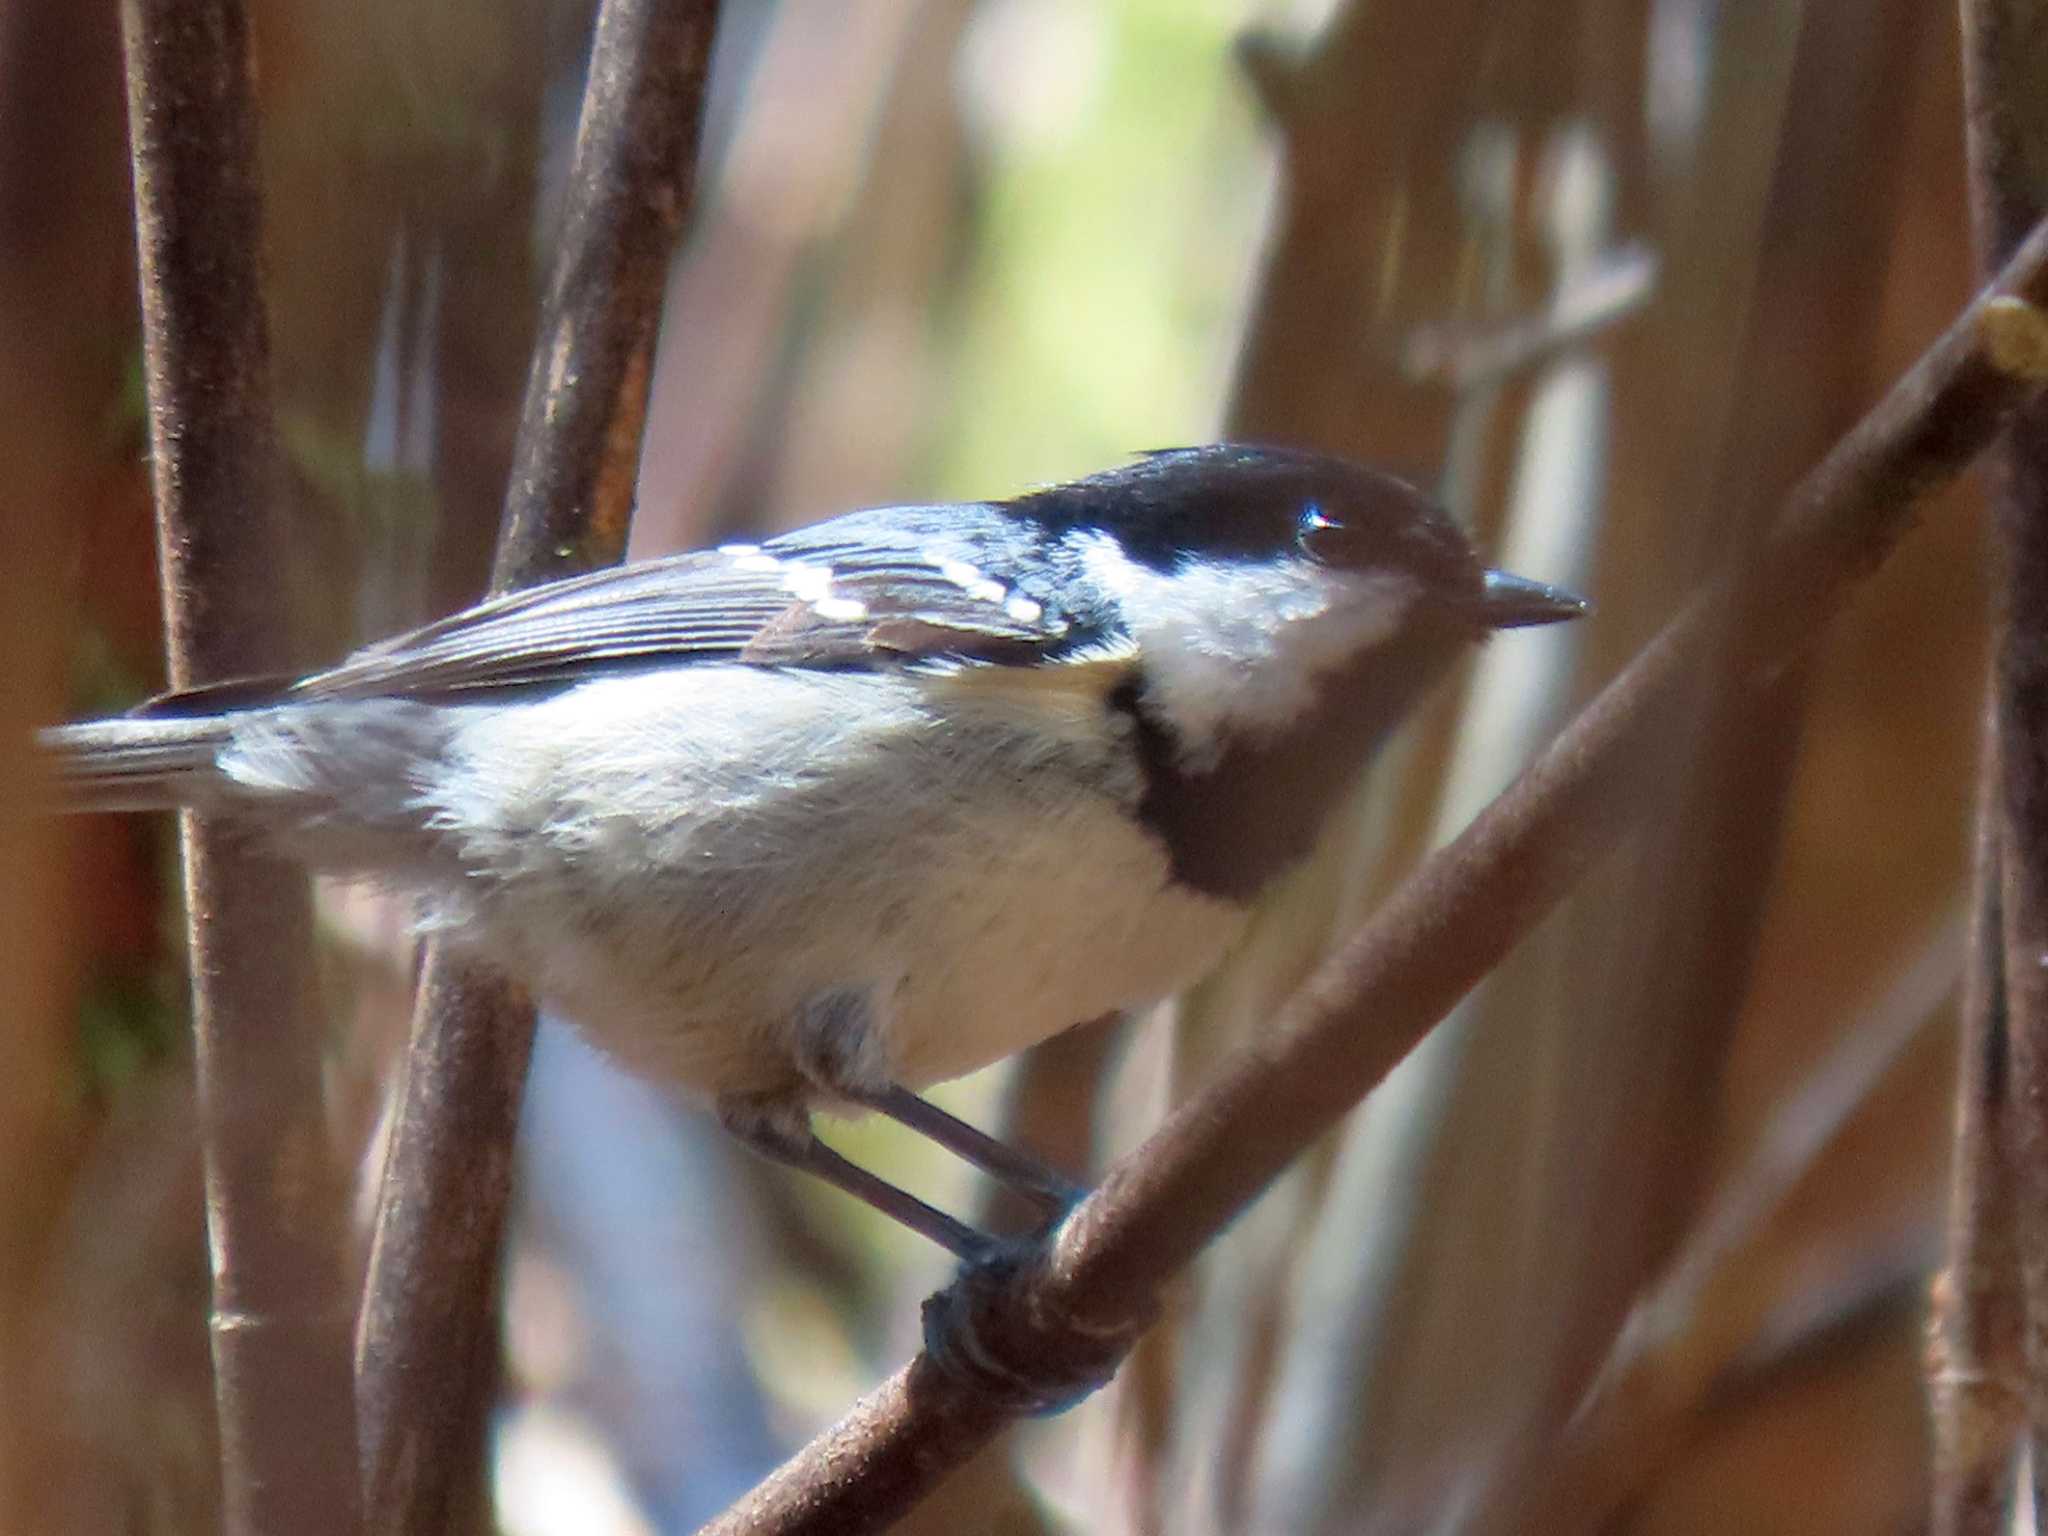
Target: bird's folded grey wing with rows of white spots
{"type": "Point", "coordinates": [855, 593]}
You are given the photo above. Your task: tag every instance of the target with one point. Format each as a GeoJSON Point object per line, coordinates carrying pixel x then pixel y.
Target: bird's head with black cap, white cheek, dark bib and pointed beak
{"type": "Point", "coordinates": [1287, 609]}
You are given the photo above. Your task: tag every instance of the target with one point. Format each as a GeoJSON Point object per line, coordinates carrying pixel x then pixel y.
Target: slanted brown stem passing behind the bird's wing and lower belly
{"type": "Point", "coordinates": [427, 1347]}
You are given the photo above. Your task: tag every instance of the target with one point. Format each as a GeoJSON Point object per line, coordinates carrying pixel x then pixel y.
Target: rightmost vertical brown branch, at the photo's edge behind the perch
{"type": "Point", "coordinates": [2006, 71]}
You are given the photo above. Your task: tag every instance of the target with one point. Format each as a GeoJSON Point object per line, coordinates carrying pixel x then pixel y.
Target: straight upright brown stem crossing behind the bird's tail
{"type": "Point", "coordinates": [273, 1195]}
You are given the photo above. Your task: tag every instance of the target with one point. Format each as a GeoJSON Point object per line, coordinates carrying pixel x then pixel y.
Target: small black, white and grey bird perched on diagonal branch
{"type": "Point", "coordinates": [824, 820]}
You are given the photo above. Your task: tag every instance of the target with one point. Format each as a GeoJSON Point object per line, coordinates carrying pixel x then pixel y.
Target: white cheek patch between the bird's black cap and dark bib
{"type": "Point", "coordinates": [1234, 648]}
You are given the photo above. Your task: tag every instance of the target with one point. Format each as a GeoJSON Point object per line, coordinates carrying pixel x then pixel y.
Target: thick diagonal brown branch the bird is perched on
{"type": "Point", "coordinates": [1336, 1039]}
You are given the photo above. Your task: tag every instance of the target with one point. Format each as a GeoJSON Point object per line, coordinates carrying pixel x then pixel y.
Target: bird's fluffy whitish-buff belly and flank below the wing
{"type": "Point", "coordinates": [681, 863]}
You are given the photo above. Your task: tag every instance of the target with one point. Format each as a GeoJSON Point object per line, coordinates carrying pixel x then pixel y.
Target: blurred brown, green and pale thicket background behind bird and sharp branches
{"type": "Point", "coordinates": [1639, 1242]}
